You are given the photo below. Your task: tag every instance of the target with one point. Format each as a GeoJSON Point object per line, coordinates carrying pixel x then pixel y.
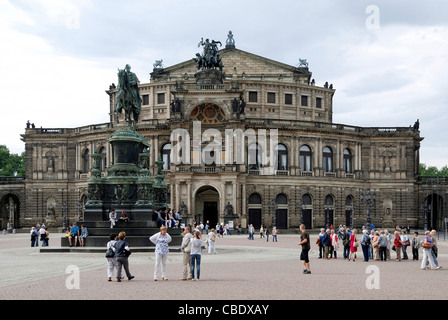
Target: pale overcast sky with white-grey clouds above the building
{"type": "Point", "coordinates": [387, 62]}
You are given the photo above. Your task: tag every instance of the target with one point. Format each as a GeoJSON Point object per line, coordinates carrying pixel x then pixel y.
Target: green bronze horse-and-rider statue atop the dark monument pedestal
{"type": "Point", "coordinates": [128, 96]}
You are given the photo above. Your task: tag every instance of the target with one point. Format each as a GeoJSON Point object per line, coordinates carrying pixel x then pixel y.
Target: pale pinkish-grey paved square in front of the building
{"type": "Point", "coordinates": [241, 270]}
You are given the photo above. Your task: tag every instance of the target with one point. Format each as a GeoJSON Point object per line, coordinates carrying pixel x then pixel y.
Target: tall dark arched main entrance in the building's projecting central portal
{"type": "Point", "coordinates": [207, 204]}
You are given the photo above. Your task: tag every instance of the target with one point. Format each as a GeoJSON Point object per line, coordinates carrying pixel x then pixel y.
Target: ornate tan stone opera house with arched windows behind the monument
{"type": "Point", "coordinates": [319, 170]}
